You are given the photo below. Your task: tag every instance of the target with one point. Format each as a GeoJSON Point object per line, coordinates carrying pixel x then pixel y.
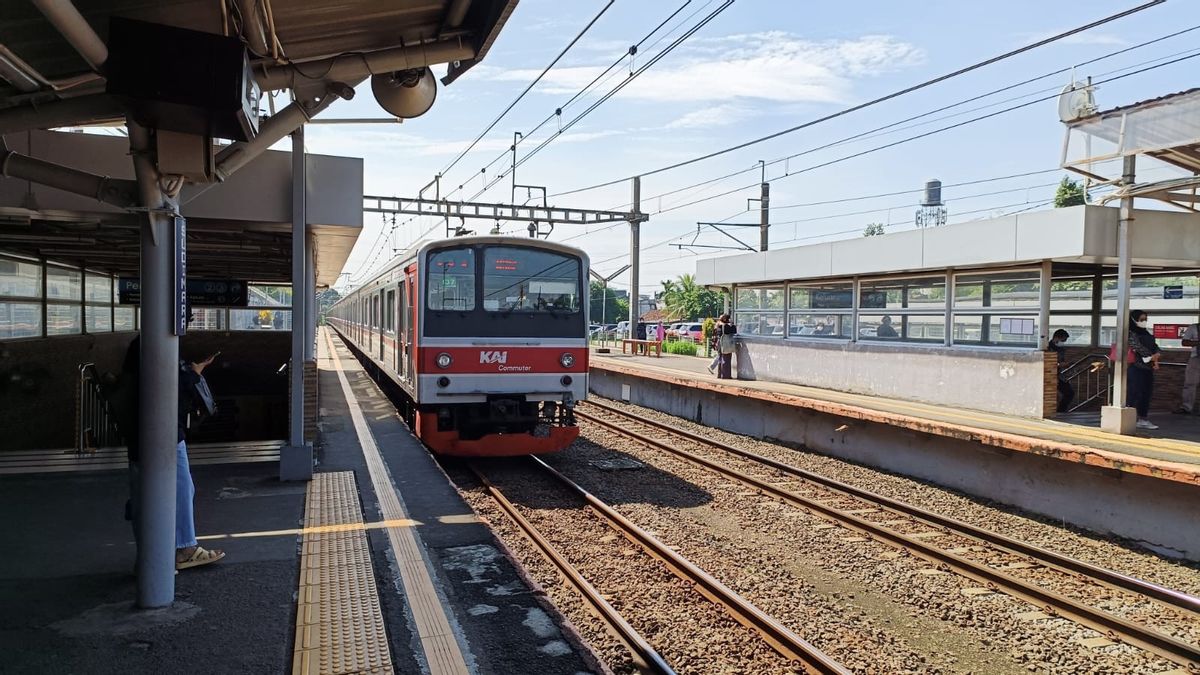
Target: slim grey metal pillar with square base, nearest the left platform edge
{"type": "Point", "coordinates": [296, 461]}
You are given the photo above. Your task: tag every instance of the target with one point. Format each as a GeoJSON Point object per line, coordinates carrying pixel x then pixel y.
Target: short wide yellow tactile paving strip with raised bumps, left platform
{"type": "Point", "coordinates": [340, 628]}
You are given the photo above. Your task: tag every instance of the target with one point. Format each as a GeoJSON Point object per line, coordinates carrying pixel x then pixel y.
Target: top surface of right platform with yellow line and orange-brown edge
{"type": "Point", "coordinates": [1076, 439]}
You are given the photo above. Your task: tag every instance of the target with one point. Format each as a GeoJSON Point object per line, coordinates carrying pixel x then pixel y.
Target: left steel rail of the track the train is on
{"type": "Point", "coordinates": [646, 659]}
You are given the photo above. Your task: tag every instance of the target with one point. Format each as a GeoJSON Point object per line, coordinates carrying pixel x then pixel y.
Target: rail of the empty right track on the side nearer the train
{"type": "Point", "coordinates": [1112, 626]}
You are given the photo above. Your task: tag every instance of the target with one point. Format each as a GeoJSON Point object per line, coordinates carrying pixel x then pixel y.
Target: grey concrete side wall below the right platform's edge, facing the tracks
{"type": "Point", "coordinates": [1161, 515]}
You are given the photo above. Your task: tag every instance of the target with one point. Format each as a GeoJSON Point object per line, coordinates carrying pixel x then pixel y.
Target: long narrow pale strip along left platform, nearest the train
{"type": "Point", "coordinates": [437, 638]}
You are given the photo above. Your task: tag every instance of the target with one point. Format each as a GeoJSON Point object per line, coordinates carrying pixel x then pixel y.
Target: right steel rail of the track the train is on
{"type": "Point", "coordinates": [778, 636]}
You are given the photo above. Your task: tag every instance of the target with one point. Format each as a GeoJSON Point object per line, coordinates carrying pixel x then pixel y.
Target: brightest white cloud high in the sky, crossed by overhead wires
{"type": "Point", "coordinates": [765, 67]}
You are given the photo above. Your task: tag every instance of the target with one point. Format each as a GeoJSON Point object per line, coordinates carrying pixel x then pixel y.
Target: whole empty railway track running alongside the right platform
{"type": "Point", "coordinates": [893, 523]}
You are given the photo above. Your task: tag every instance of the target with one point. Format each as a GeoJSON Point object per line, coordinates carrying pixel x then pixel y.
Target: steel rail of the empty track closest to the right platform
{"type": "Point", "coordinates": [1048, 558]}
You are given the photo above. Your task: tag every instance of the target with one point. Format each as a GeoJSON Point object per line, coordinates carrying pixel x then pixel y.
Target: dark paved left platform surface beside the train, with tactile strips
{"type": "Point", "coordinates": [376, 566]}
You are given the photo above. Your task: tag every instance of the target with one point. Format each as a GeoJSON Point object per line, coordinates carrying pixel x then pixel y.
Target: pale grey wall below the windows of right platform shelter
{"type": "Point", "coordinates": [1004, 381]}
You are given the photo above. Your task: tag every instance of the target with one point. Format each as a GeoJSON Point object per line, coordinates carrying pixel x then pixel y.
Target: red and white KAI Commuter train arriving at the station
{"type": "Point", "coordinates": [487, 337]}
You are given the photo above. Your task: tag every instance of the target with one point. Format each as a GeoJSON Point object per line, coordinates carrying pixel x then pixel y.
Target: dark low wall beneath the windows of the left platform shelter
{"type": "Point", "coordinates": [39, 380]}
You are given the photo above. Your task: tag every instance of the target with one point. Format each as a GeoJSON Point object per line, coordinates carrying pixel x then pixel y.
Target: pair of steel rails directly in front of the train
{"type": "Point", "coordinates": [646, 659]}
